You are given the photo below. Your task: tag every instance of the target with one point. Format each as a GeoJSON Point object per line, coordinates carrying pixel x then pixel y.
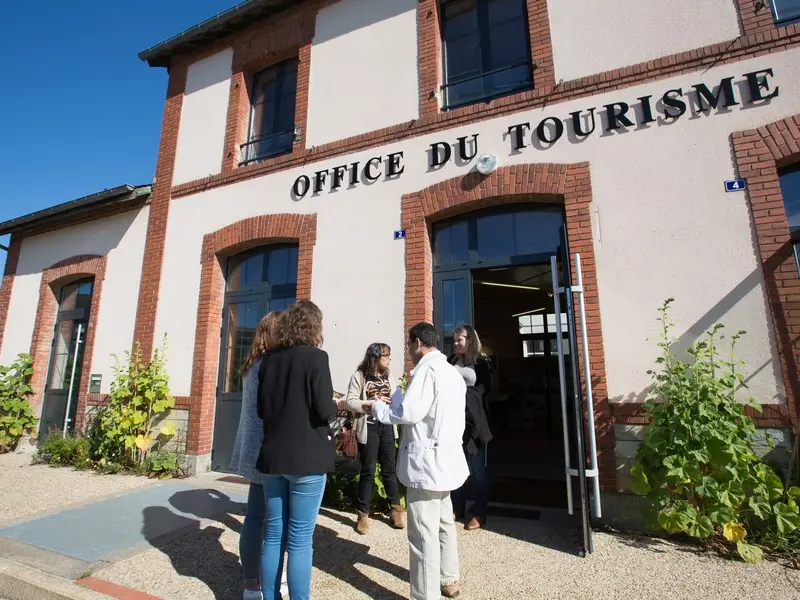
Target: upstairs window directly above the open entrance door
{"type": "Point", "coordinates": [486, 49]}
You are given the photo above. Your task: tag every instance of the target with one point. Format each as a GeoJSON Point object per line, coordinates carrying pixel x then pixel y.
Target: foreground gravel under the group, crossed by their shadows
{"type": "Point", "coordinates": [513, 559]}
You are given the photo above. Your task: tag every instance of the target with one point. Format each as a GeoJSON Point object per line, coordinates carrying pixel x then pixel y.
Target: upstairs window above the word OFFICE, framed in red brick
{"type": "Point", "coordinates": [272, 104]}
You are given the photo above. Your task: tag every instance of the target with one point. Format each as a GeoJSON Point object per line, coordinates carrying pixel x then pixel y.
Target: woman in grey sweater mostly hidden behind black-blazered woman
{"type": "Point", "coordinates": [245, 454]}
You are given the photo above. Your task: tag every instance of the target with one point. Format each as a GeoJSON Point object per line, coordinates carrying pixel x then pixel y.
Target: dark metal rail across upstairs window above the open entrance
{"type": "Point", "coordinates": [487, 86]}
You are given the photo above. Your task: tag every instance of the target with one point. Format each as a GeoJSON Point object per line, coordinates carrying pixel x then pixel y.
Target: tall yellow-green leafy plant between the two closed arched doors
{"type": "Point", "coordinates": [131, 425]}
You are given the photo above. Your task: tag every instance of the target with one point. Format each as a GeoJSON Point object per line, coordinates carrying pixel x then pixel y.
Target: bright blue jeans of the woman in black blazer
{"type": "Point", "coordinates": [292, 507]}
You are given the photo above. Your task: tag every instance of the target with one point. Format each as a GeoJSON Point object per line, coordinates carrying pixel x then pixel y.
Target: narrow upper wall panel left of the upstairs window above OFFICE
{"type": "Point", "coordinates": [201, 136]}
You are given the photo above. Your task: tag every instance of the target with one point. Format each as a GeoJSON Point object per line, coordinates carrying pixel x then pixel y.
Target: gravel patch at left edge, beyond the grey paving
{"type": "Point", "coordinates": [28, 490]}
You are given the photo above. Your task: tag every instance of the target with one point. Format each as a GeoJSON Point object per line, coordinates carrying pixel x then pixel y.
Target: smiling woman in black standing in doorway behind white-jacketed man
{"type": "Point", "coordinates": [476, 368]}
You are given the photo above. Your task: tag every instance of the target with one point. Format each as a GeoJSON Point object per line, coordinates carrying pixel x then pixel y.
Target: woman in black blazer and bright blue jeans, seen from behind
{"type": "Point", "coordinates": [295, 402]}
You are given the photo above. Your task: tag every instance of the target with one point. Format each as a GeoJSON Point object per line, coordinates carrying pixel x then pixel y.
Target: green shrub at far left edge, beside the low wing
{"type": "Point", "coordinates": [16, 416]}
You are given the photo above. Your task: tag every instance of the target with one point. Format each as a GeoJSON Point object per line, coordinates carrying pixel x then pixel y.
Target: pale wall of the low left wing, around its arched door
{"type": "Point", "coordinates": [121, 238]}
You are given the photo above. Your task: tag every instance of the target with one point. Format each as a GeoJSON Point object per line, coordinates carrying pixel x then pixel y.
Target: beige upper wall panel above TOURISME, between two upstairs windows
{"type": "Point", "coordinates": [590, 37]}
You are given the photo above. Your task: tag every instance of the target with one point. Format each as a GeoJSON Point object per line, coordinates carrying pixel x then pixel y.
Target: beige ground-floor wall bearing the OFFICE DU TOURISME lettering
{"type": "Point", "coordinates": [663, 227]}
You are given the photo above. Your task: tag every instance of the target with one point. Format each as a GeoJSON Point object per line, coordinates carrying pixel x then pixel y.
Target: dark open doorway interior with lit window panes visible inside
{"type": "Point", "coordinates": [514, 315]}
